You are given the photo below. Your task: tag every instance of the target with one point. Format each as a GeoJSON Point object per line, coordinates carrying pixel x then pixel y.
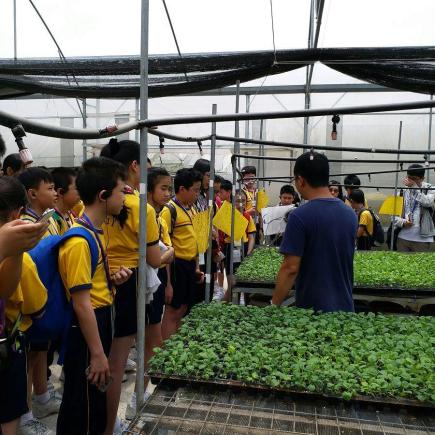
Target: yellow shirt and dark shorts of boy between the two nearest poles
{"type": "Point", "coordinates": [183, 237]}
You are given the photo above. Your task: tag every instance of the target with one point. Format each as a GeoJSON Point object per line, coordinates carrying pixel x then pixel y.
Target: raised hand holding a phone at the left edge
{"type": "Point", "coordinates": [19, 236]}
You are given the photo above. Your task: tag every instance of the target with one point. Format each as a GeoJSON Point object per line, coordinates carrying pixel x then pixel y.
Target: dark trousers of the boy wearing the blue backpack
{"type": "Point", "coordinates": [83, 408]}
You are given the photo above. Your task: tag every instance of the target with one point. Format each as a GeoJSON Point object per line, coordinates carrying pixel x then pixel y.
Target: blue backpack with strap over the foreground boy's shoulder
{"type": "Point", "coordinates": [56, 320]}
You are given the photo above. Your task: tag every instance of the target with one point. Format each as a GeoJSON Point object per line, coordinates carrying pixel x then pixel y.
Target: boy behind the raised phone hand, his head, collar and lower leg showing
{"type": "Point", "coordinates": [41, 196]}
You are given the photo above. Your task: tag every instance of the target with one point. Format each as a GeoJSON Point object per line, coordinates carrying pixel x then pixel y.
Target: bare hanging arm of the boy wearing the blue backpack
{"type": "Point", "coordinates": [99, 371]}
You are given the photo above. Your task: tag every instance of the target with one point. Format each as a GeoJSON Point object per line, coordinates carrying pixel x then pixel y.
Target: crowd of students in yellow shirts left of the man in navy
{"type": "Point", "coordinates": [102, 199]}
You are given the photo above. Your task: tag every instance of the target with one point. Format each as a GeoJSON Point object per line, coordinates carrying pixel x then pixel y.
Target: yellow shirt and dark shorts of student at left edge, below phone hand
{"type": "Point", "coordinates": [29, 300]}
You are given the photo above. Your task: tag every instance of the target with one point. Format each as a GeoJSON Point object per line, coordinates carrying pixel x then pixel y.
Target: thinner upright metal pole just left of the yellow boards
{"type": "Point", "coordinates": [208, 274]}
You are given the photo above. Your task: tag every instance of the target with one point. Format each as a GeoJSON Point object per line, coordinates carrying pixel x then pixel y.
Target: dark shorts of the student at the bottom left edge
{"type": "Point", "coordinates": [13, 390]}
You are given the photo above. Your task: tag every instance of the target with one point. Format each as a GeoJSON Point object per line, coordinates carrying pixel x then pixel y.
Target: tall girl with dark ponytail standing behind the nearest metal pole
{"type": "Point", "coordinates": [122, 236]}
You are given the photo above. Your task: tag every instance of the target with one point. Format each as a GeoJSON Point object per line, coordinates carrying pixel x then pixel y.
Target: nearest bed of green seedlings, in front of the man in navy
{"type": "Point", "coordinates": [340, 356]}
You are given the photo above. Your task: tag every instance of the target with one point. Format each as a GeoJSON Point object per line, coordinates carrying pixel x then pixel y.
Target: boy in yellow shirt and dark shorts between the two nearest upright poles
{"type": "Point", "coordinates": [184, 271]}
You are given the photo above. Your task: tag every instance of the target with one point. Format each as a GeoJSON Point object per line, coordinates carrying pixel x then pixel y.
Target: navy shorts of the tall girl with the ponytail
{"type": "Point", "coordinates": [125, 307]}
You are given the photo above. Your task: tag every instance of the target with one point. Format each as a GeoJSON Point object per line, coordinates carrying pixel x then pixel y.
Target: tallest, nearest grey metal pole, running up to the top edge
{"type": "Point", "coordinates": [143, 207]}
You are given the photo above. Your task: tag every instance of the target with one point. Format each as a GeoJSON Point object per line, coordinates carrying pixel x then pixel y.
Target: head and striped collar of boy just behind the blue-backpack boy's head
{"type": "Point", "coordinates": [67, 197]}
